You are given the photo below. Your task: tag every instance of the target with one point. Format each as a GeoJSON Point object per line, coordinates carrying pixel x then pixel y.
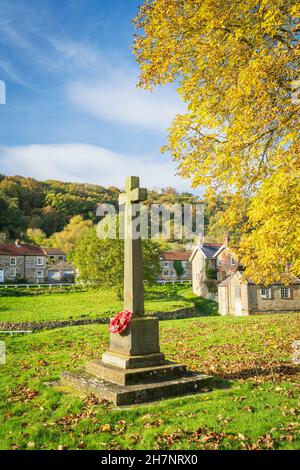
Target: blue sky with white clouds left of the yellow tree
{"type": "Point", "coordinates": [73, 111]}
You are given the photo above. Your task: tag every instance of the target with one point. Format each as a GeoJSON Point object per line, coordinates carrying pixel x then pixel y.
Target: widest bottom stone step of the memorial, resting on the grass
{"type": "Point", "coordinates": [135, 394]}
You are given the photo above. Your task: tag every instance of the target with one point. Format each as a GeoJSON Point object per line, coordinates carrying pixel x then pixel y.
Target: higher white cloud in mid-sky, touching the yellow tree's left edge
{"type": "Point", "coordinates": [116, 98]}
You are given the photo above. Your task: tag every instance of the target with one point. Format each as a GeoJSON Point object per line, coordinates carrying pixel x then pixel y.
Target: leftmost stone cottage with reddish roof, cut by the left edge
{"type": "Point", "coordinates": [22, 262]}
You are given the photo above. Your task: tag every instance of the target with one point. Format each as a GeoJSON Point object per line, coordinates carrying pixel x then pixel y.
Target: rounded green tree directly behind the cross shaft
{"type": "Point", "coordinates": [100, 262]}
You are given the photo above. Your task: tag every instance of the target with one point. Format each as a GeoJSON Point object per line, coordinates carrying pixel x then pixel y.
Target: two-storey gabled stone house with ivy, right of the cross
{"type": "Point", "coordinates": [211, 263]}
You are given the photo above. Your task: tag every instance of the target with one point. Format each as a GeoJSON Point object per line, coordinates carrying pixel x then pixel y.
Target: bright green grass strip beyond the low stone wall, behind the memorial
{"type": "Point", "coordinates": [86, 304]}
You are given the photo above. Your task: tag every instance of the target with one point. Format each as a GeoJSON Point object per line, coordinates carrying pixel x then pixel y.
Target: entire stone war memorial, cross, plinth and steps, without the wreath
{"type": "Point", "coordinates": [134, 370]}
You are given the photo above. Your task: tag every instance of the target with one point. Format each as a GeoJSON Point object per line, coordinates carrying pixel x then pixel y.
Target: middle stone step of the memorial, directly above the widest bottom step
{"type": "Point", "coordinates": [125, 377]}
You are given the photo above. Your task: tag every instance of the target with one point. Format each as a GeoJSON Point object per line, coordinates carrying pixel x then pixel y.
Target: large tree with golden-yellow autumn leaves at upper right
{"type": "Point", "coordinates": [236, 66]}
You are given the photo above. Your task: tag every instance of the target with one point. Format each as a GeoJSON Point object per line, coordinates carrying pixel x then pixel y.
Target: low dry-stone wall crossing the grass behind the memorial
{"type": "Point", "coordinates": [188, 312]}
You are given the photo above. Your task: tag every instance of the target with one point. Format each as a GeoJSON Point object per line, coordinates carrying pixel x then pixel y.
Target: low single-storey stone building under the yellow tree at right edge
{"type": "Point", "coordinates": [240, 296]}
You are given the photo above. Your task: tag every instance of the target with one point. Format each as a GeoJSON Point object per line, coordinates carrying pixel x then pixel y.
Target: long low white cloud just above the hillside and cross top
{"type": "Point", "coordinates": [88, 163]}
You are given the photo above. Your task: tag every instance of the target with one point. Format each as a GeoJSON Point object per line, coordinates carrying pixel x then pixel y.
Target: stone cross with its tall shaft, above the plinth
{"type": "Point", "coordinates": [133, 259]}
